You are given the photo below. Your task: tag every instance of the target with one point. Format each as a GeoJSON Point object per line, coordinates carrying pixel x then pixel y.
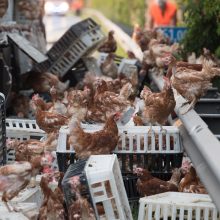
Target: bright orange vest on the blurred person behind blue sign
{"type": "Point", "coordinates": [159, 18]}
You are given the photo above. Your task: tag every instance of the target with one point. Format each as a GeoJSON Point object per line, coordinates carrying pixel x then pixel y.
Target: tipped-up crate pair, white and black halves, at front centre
{"type": "Point", "coordinates": [102, 181]}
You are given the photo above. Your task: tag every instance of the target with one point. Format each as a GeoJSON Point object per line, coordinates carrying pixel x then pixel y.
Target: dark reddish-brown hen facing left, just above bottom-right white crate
{"type": "Point", "coordinates": [148, 185]}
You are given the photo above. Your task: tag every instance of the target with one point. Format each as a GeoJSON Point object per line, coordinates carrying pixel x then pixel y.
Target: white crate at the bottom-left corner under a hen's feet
{"type": "Point", "coordinates": [24, 211]}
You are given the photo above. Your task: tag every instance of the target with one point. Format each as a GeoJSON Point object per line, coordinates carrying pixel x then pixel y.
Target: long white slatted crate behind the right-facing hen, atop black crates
{"type": "Point", "coordinates": [133, 139]}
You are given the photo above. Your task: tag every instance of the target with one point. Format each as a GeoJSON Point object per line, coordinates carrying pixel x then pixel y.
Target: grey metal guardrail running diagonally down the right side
{"type": "Point", "coordinates": [199, 142]}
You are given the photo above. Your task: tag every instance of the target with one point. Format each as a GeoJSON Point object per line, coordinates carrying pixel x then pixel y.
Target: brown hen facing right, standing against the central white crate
{"type": "Point", "coordinates": [100, 142]}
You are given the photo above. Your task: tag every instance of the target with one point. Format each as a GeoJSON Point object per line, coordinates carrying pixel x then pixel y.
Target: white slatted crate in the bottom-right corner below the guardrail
{"type": "Point", "coordinates": [181, 206]}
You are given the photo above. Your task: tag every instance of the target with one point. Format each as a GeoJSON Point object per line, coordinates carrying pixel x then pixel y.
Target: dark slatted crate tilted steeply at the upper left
{"type": "Point", "coordinates": [81, 39]}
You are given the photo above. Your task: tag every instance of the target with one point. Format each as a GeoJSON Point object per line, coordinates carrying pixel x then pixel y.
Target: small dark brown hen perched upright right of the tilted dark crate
{"type": "Point", "coordinates": [110, 45]}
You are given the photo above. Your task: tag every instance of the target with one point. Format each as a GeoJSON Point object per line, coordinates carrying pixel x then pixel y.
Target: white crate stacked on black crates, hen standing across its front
{"type": "Point", "coordinates": [137, 146]}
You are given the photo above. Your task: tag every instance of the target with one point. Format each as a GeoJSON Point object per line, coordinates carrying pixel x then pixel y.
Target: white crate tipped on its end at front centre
{"type": "Point", "coordinates": [106, 187]}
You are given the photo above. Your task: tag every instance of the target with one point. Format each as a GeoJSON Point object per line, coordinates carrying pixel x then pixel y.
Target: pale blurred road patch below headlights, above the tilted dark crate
{"type": "Point", "coordinates": [56, 26]}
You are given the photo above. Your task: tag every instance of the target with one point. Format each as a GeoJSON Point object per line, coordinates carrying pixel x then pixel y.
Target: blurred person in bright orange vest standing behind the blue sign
{"type": "Point", "coordinates": [162, 13]}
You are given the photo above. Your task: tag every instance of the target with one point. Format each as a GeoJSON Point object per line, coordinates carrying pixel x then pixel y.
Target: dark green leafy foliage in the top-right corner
{"type": "Point", "coordinates": [202, 18]}
